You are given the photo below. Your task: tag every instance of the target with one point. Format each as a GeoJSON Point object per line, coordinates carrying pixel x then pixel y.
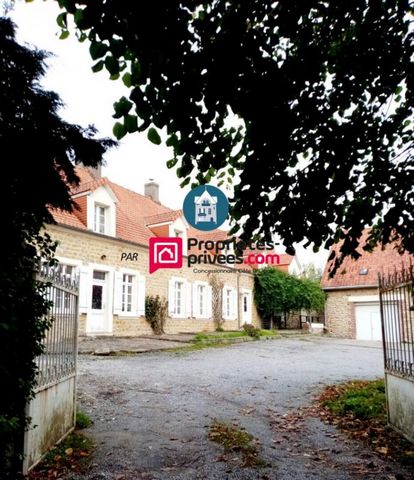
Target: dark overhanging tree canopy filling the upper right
{"type": "Point", "coordinates": [336, 76]}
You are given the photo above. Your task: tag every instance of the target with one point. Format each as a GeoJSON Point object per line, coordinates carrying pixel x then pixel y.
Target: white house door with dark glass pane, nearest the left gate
{"type": "Point", "coordinates": [98, 318]}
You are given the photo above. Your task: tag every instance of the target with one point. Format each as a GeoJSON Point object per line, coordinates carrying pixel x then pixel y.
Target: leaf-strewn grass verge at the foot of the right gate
{"type": "Point", "coordinates": [359, 409]}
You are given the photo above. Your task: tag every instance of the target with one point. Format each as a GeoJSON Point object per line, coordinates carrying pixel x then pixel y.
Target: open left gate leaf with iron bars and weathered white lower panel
{"type": "Point", "coordinates": [52, 410]}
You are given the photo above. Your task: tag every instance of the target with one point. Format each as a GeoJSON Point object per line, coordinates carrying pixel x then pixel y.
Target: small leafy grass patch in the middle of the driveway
{"type": "Point", "coordinates": [236, 441]}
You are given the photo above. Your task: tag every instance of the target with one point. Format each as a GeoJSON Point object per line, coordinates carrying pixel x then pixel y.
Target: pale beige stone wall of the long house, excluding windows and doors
{"type": "Point", "coordinates": [91, 248]}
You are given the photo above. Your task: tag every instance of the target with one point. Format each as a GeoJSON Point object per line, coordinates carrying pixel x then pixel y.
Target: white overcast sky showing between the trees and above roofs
{"type": "Point", "coordinates": [89, 98]}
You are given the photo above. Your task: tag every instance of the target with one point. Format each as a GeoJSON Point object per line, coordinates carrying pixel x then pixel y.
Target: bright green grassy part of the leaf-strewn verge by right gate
{"type": "Point", "coordinates": [362, 400]}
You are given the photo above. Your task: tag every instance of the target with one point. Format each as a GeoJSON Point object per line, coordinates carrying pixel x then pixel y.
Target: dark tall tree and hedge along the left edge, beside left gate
{"type": "Point", "coordinates": [43, 151]}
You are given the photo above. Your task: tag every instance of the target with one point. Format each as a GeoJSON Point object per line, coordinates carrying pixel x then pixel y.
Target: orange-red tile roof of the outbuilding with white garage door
{"type": "Point", "coordinates": [349, 273]}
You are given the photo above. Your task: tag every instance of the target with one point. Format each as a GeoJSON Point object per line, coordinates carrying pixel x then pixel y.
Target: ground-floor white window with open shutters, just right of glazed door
{"type": "Point", "coordinates": [129, 293]}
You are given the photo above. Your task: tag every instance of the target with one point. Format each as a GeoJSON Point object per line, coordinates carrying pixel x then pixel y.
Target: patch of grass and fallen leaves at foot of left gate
{"type": "Point", "coordinates": [71, 455]}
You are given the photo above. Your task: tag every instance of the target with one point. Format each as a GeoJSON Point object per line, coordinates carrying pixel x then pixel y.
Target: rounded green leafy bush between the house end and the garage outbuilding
{"type": "Point", "coordinates": [278, 292]}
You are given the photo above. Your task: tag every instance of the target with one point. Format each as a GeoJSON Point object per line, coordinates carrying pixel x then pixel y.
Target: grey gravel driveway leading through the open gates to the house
{"type": "Point", "coordinates": [152, 412]}
